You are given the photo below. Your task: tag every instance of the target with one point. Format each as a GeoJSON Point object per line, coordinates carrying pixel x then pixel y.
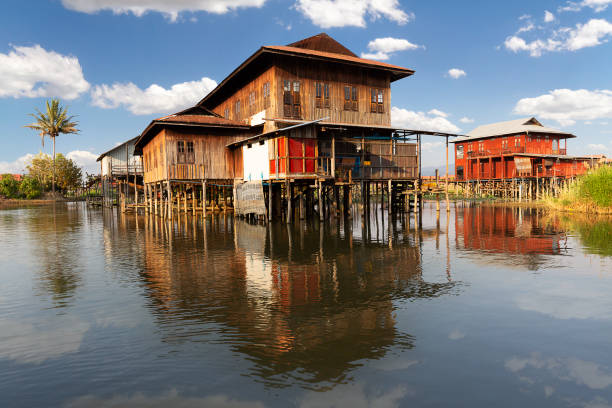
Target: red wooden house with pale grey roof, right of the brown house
{"type": "Point", "coordinates": [521, 148]}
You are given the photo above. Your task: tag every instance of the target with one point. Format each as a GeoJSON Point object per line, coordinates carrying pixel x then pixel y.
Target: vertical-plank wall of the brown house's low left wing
{"type": "Point", "coordinates": [210, 160]}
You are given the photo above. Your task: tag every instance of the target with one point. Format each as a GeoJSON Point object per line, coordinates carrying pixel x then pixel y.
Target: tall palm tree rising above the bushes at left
{"type": "Point", "coordinates": [52, 123]}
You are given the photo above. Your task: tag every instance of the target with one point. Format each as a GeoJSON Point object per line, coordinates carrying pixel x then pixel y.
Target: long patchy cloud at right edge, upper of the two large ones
{"type": "Point", "coordinates": [591, 34]}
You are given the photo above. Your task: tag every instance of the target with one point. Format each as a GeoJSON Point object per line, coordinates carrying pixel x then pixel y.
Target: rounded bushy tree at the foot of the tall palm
{"type": "Point", "coordinates": [68, 174]}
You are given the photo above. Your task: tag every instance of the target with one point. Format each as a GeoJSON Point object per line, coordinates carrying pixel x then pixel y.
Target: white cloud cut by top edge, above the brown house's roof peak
{"type": "Point", "coordinates": [342, 13]}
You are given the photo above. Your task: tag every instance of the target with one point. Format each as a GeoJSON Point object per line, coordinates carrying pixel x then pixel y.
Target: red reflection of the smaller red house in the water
{"type": "Point", "coordinates": [507, 230]}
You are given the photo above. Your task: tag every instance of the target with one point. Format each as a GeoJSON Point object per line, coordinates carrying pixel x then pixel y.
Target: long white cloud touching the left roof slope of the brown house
{"type": "Point", "coordinates": [154, 99]}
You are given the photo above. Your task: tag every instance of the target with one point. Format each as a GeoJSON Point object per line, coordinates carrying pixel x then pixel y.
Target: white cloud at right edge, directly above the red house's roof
{"type": "Point", "coordinates": [566, 106]}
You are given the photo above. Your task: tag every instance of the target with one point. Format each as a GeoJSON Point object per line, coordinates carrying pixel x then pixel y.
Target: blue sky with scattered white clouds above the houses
{"type": "Point", "coordinates": [117, 64]}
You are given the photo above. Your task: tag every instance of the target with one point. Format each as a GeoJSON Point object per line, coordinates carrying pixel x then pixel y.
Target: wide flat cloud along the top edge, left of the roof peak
{"type": "Point", "coordinates": [170, 9]}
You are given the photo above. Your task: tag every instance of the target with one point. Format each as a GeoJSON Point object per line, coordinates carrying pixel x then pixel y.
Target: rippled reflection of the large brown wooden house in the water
{"type": "Point", "coordinates": [302, 305]}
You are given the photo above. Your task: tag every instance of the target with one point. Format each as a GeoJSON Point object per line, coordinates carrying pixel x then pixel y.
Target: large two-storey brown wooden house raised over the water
{"type": "Point", "coordinates": [309, 112]}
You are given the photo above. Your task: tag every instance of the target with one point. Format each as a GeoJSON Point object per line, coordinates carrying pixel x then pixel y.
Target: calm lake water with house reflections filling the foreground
{"type": "Point", "coordinates": [488, 306]}
